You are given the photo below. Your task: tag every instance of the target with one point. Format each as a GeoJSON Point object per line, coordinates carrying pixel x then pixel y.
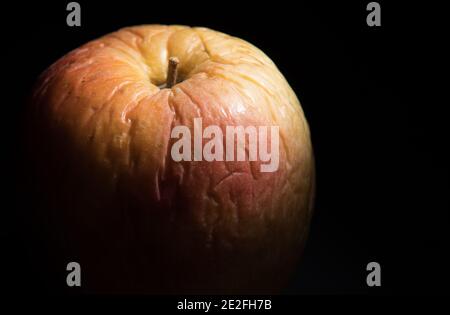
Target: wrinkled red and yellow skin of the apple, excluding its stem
{"type": "Point", "coordinates": [111, 197]}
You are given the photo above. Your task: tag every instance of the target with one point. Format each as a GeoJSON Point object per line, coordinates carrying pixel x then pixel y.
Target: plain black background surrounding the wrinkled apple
{"type": "Point", "coordinates": [382, 186]}
